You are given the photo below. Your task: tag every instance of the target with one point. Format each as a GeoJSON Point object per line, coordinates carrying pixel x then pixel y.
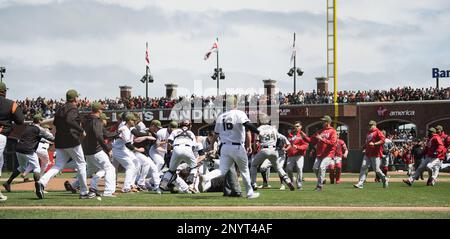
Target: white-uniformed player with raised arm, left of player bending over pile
{"type": "Point", "coordinates": [159, 149]}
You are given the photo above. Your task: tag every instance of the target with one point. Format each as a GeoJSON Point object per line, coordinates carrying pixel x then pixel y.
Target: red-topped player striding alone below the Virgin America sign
{"type": "Point", "coordinates": [373, 152]}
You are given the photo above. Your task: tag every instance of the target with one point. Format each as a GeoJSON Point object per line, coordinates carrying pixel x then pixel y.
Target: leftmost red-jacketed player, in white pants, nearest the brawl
{"type": "Point", "coordinates": [296, 151]}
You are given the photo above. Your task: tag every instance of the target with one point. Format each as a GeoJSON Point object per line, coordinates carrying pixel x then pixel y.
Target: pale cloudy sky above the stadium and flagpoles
{"type": "Point", "coordinates": [95, 46]}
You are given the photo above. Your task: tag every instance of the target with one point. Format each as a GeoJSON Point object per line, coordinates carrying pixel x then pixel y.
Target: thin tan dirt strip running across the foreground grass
{"type": "Point", "coordinates": [233, 208]}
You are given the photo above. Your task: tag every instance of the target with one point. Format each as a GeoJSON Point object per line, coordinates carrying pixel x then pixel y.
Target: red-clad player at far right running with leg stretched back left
{"type": "Point", "coordinates": [434, 154]}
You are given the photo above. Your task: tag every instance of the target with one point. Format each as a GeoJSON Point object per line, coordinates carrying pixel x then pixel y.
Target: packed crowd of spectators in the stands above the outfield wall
{"type": "Point", "coordinates": [48, 106]}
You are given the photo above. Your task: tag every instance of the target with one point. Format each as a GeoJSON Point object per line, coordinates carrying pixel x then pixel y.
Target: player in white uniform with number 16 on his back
{"type": "Point", "coordinates": [230, 126]}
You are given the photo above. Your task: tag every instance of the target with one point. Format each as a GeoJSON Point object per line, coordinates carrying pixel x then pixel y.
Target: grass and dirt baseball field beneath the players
{"type": "Point", "coordinates": [335, 201]}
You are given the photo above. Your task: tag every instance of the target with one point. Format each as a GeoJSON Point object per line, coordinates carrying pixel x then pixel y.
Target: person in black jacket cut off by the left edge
{"type": "Point", "coordinates": [9, 112]}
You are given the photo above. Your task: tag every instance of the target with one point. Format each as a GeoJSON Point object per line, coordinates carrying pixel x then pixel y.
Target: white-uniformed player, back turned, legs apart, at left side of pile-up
{"type": "Point", "coordinates": [182, 141]}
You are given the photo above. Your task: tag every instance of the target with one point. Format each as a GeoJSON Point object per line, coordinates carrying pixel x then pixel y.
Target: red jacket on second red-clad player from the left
{"type": "Point", "coordinates": [327, 146]}
